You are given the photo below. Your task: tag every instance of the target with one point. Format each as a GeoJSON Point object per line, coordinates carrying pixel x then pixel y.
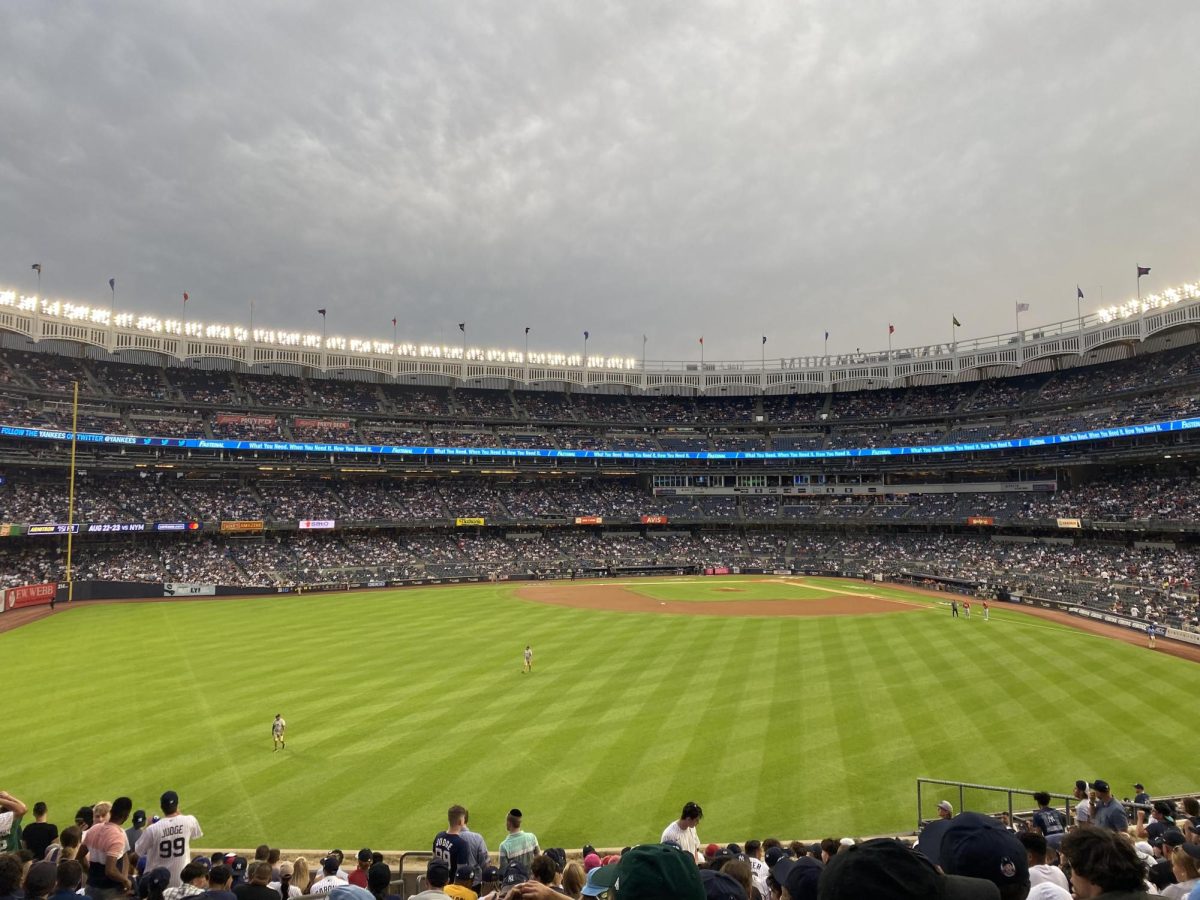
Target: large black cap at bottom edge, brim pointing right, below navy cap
{"type": "Point", "coordinates": [886, 868]}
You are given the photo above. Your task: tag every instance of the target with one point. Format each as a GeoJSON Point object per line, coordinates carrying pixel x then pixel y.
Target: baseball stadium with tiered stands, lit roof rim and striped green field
{"type": "Point", "coordinates": [785, 592]}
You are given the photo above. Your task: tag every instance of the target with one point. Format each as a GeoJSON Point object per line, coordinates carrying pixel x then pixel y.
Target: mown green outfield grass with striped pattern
{"type": "Point", "coordinates": [401, 704]}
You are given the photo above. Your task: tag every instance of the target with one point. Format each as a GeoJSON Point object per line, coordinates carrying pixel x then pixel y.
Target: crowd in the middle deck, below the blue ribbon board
{"type": "Point", "coordinates": [1138, 497]}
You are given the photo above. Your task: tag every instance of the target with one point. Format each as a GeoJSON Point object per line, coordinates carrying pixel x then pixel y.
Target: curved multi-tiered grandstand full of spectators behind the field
{"type": "Point", "coordinates": [1067, 483]}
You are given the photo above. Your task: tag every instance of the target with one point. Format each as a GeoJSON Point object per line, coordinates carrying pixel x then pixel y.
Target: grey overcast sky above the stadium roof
{"type": "Point", "coordinates": [687, 170]}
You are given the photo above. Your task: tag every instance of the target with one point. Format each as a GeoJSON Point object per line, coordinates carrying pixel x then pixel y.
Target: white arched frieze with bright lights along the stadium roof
{"type": "Point", "coordinates": [40, 320]}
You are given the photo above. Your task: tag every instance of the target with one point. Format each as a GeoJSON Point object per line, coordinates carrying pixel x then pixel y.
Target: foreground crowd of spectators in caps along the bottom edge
{"type": "Point", "coordinates": [1099, 847]}
